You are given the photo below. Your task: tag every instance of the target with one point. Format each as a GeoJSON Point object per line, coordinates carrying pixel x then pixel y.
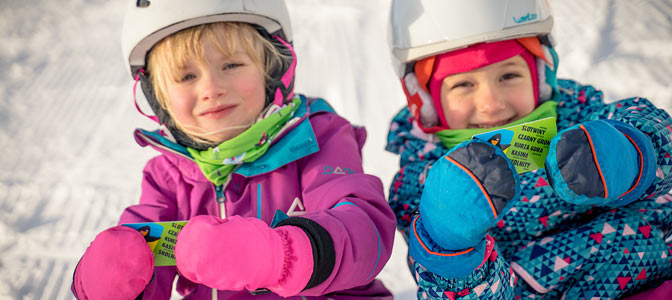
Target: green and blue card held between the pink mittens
{"type": "Point", "coordinates": [161, 238]}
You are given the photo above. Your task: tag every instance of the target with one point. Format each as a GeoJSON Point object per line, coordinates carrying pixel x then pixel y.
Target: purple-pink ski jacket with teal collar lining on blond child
{"type": "Point", "coordinates": [311, 178]}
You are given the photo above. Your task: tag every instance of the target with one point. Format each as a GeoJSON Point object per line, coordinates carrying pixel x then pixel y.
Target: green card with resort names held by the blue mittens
{"type": "Point", "coordinates": [526, 145]}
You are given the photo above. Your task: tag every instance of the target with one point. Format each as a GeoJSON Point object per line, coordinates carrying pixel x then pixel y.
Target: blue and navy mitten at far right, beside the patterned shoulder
{"type": "Point", "coordinates": [603, 162]}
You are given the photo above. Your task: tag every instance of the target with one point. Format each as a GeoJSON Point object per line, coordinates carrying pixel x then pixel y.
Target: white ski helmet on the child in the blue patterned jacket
{"type": "Point", "coordinates": [422, 28]}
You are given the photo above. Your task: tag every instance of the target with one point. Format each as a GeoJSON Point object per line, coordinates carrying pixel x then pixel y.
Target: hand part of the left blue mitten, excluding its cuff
{"type": "Point", "coordinates": [465, 194]}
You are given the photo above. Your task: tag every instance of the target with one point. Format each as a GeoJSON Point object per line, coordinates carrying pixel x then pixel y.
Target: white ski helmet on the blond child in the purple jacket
{"type": "Point", "coordinates": [149, 21]}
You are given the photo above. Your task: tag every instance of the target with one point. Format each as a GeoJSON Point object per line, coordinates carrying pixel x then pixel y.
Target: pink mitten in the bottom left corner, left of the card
{"type": "Point", "coordinates": [117, 265]}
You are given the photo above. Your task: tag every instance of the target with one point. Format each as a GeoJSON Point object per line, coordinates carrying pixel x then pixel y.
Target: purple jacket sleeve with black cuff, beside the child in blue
{"type": "Point", "coordinates": [347, 218]}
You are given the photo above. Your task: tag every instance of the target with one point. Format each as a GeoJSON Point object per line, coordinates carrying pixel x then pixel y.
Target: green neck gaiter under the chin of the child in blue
{"type": "Point", "coordinates": [452, 137]}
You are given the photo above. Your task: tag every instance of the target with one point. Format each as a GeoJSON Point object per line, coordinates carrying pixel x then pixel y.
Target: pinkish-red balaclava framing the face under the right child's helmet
{"type": "Point", "coordinates": [474, 57]}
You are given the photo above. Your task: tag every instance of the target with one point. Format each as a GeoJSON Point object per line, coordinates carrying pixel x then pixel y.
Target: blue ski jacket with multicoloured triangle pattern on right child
{"type": "Point", "coordinates": [544, 246]}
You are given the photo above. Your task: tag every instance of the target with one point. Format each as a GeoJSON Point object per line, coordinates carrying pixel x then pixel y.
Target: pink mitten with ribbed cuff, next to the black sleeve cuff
{"type": "Point", "coordinates": [244, 253]}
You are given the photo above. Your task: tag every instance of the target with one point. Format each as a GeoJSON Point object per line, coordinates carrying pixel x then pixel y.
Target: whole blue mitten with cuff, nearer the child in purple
{"type": "Point", "coordinates": [466, 193]}
